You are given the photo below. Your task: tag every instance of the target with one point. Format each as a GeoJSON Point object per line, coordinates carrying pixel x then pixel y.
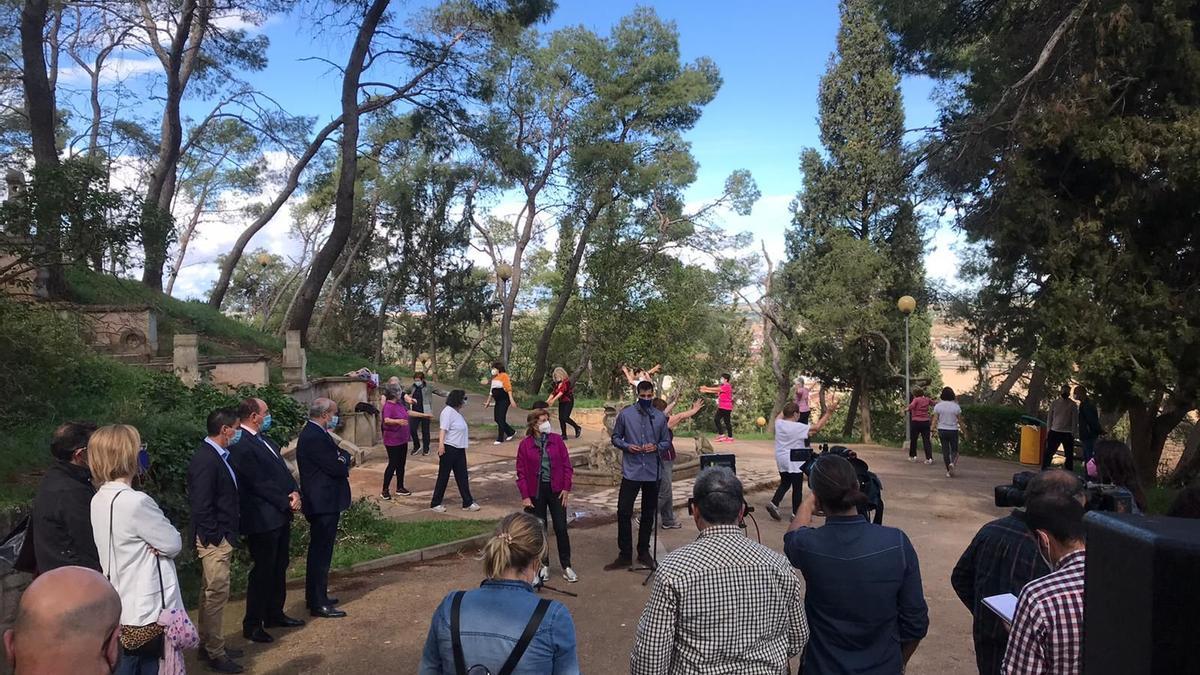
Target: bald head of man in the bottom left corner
{"type": "Point", "coordinates": [67, 623]}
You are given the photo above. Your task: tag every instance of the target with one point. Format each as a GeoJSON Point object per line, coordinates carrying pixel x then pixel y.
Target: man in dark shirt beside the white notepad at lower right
{"type": "Point", "coordinates": [1003, 559]}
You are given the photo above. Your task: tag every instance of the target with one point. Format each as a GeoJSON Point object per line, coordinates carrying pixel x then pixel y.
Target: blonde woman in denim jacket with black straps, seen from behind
{"type": "Point", "coordinates": [482, 631]}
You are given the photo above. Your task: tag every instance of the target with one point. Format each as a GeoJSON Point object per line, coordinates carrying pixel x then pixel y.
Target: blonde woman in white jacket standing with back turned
{"type": "Point", "coordinates": [137, 547]}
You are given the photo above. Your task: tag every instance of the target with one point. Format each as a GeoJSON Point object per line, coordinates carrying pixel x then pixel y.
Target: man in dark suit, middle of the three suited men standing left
{"type": "Point", "coordinates": [269, 497]}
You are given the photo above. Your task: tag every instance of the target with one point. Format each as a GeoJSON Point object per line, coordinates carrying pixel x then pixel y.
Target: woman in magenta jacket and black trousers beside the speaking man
{"type": "Point", "coordinates": [544, 477]}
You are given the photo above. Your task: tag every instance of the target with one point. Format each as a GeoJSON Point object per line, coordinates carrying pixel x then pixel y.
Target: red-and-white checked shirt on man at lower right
{"type": "Point", "coordinates": [1048, 628]}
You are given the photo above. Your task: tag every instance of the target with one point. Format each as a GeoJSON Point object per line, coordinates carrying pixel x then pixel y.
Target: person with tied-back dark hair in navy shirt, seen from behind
{"type": "Point", "coordinates": [866, 607]}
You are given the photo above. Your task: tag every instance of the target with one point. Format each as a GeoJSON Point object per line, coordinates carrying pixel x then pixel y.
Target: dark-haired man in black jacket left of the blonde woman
{"type": "Point", "coordinates": [61, 527]}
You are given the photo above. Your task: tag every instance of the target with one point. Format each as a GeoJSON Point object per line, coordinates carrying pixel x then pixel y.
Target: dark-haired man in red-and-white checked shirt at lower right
{"type": "Point", "coordinates": [1048, 628]}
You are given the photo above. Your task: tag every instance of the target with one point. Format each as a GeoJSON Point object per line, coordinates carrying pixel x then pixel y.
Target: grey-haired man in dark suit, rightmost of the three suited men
{"type": "Point", "coordinates": [326, 494]}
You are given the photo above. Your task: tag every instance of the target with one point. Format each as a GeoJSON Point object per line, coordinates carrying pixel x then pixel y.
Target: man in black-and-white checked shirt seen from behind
{"type": "Point", "coordinates": [723, 604]}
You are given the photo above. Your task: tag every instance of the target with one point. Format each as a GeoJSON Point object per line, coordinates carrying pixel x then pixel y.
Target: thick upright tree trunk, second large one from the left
{"type": "Point", "coordinates": [161, 189]}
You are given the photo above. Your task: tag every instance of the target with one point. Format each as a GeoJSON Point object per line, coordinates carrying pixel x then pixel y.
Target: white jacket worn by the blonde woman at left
{"type": "Point", "coordinates": [137, 525]}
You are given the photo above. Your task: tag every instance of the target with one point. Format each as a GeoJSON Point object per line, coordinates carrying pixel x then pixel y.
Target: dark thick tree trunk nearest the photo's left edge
{"type": "Point", "coordinates": [40, 110]}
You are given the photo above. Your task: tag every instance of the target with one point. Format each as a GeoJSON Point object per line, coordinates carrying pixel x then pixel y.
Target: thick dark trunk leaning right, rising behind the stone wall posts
{"type": "Point", "coordinates": [344, 201]}
